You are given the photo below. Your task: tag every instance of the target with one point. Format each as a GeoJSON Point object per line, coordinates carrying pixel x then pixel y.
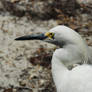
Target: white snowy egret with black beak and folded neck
{"type": "Point", "coordinates": [73, 50]}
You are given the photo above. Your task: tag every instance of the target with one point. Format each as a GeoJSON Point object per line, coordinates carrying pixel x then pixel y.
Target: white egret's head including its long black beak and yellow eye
{"type": "Point", "coordinates": [59, 35]}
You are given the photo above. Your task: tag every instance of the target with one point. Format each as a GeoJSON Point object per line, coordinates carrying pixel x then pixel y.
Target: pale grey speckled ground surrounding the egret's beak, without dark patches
{"type": "Point", "coordinates": [15, 69]}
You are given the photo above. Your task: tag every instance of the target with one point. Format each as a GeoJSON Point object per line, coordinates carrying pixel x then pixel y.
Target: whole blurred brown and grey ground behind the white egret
{"type": "Point", "coordinates": [25, 65]}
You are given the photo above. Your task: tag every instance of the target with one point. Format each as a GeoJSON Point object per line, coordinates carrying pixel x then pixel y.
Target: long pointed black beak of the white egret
{"type": "Point", "coordinates": [32, 37]}
